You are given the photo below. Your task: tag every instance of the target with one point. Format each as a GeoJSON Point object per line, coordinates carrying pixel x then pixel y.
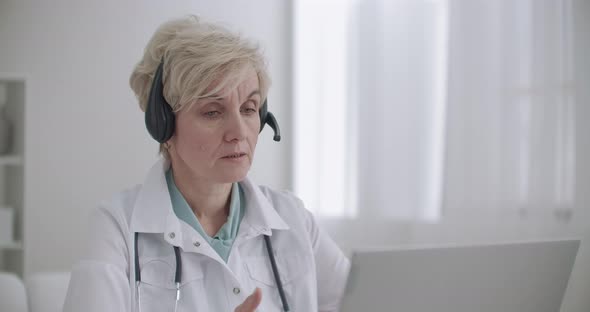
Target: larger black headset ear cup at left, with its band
{"type": "Point", "coordinates": [159, 117]}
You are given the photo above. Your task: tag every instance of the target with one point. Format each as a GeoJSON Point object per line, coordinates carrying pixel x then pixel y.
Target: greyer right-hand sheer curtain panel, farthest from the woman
{"type": "Point", "coordinates": [511, 110]}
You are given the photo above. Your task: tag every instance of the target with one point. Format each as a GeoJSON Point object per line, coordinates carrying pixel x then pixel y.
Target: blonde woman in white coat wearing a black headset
{"type": "Point", "coordinates": [198, 234]}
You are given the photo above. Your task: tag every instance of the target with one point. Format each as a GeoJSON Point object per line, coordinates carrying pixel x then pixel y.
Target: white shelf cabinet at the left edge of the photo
{"type": "Point", "coordinates": [12, 172]}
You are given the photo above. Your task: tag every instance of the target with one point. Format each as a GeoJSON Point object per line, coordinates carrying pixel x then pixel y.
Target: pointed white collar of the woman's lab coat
{"type": "Point", "coordinates": [153, 213]}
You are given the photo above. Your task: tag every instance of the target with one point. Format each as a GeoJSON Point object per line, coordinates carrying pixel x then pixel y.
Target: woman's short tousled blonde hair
{"type": "Point", "coordinates": [196, 54]}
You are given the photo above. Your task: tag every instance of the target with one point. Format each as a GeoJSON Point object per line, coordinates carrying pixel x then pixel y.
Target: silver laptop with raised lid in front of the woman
{"type": "Point", "coordinates": [515, 277]}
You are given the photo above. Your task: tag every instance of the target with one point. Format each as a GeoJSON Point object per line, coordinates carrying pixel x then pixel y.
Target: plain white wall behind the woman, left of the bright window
{"type": "Point", "coordinates": [85, 136]}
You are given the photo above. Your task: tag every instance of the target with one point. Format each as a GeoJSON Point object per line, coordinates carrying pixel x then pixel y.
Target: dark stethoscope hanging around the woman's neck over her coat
{"type": "Point", "coordinates": [178, 274]}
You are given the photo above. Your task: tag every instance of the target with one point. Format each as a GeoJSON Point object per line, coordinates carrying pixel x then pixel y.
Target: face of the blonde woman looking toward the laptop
{"type": "Point", "coordinates": [216, 137]}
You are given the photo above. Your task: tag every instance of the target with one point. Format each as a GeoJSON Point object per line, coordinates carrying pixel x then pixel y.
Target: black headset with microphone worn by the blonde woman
{"type": "Point", "coordinates": [160, 119]}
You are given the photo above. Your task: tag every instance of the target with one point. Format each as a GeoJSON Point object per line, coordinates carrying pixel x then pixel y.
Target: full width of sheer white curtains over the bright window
{"type": "Point", "coordinates": [421, 109]}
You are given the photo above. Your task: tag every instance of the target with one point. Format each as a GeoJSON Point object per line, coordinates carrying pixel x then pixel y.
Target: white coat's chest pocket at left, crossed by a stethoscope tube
{"type": "Point", "coordinates": [158, 289]}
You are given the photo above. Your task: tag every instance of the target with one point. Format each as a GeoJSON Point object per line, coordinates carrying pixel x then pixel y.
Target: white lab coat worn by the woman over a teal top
{"type": "Point", "coordinates": [312, 268]}
